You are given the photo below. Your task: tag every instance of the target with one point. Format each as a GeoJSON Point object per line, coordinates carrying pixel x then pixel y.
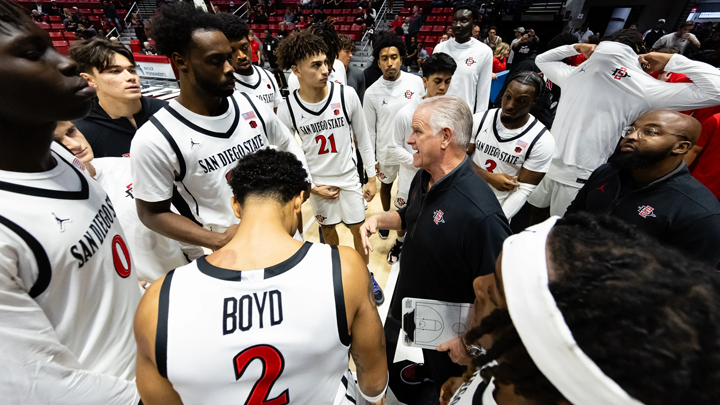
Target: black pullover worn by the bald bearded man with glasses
{"type": "Point", "coordinates": [676, 209]}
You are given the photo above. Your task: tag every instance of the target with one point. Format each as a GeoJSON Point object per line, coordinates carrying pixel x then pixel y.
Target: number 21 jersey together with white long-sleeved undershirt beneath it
{"type": "Point", "coordinates": [326, 130]}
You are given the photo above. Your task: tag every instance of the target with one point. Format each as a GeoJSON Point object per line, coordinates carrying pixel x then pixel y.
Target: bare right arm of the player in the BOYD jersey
{"type": "Point", "coordinates": [364, 326]}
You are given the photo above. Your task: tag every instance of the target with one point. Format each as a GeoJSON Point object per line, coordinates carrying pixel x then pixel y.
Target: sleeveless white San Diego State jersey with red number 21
{"type": "Point", "coordinates": [326, 135]}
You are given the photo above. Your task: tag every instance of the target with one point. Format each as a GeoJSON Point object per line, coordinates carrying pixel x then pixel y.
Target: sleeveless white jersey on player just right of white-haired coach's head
{"type": "Point", "coordinates": [498, 154]}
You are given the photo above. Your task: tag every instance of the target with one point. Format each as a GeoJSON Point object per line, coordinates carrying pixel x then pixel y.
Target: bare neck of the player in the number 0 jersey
{"type": "Point", "coordinates": [26, 149]}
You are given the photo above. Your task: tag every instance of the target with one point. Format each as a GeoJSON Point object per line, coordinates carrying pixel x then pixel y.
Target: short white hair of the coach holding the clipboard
{"type": "Point", "coordinates": [450, 112]}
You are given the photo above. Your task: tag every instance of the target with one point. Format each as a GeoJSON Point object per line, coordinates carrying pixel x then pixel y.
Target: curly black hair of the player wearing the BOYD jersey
{"type": "Point", "coordinates": [268, 173]}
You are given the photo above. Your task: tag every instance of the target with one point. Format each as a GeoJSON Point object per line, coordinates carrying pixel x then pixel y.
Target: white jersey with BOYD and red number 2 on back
{"type": "Point", "coordinates": [255, 336]}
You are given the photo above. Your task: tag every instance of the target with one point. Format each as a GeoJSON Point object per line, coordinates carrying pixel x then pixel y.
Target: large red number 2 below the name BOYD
{"type": "Point", "coordinates": [273, 366]}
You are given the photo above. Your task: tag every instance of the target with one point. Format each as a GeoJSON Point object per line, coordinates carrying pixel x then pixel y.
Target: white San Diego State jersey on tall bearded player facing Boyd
{"type": "Point", "coordinates": [206, 150]}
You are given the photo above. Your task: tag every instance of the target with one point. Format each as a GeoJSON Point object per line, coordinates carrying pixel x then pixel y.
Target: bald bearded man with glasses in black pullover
{"type": "Point", "coordinates": [647, 184]}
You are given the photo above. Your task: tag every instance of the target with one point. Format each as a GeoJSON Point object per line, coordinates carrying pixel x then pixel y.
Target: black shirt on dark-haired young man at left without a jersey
{"type": "Point", "coordinates": [112, 138]}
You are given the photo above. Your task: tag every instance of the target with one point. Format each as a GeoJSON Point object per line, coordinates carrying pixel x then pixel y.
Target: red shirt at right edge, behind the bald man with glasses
{"type": "Point", "coordinates": [706, 168]}
